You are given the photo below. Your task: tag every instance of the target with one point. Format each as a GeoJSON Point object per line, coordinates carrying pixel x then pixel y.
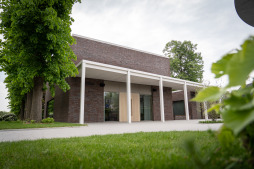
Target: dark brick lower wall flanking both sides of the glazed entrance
{"type": "Point", "coordinates": [67, 105]}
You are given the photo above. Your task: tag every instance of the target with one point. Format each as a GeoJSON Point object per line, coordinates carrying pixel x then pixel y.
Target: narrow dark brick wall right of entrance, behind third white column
{"type": "Point", "coordinates": [168, 108]}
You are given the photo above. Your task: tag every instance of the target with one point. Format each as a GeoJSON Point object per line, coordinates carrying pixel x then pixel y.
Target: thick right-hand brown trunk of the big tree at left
{"type": "Point", "coordinates": [36, 109]}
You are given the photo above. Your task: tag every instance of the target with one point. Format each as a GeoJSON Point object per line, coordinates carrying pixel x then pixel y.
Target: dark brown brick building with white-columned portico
{"type": "Point", "coordinates": [117, 83]}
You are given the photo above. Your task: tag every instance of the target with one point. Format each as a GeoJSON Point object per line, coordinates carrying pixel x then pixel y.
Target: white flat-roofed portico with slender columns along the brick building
{"type": "Point", "coordinates": [96, 70]}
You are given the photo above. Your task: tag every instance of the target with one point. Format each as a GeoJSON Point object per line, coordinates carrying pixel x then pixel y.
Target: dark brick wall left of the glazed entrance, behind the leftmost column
{"type": "Point", "coordinates": [67, 105]}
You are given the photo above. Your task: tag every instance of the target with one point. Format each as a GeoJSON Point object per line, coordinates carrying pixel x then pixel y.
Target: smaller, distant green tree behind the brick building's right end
{"type": "Point", "coordinates": [185, 62]}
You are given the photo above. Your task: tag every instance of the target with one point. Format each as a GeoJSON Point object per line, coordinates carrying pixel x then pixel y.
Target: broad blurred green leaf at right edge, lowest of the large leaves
{"type": "Point", "coordinates": [238, 120]}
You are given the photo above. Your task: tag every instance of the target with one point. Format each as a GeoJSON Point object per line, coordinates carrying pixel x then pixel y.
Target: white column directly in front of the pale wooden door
{"type": "Point", "coordinates": [128, 91]}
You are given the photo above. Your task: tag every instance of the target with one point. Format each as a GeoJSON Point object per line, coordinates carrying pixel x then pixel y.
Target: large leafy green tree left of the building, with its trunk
{"type": "Point", "coordinates": [35, 51]}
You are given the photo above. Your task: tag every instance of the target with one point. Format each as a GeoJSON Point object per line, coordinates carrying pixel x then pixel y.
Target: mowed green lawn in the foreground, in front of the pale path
{"type": "Point", "coordinates": [139, 150]}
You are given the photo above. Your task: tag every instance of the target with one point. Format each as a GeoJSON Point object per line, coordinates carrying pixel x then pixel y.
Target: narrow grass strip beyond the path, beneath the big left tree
{"type": "Point", "coordinates": [23, 125]}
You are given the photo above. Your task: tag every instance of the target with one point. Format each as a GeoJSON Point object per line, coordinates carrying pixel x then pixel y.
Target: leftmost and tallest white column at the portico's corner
{"type": "Point", "coordinates": [82, 93]}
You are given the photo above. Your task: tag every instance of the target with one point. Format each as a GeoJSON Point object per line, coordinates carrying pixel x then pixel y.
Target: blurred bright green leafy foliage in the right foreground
{"type": "Point", "coordinates": [237, 108]}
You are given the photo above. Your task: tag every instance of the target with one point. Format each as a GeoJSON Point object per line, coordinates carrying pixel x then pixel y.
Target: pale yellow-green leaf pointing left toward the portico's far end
{"type": "Point", "coordinates": [209, 94]}
